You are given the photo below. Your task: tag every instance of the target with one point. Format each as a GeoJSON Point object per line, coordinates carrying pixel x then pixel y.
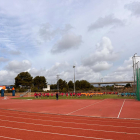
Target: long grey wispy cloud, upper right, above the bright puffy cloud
{"type": "Point", "coordinates": [105, 21]}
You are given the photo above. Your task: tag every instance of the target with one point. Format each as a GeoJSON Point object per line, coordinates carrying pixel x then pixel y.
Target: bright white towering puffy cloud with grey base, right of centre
{"type": "Point", "coordinates": [103, 53]}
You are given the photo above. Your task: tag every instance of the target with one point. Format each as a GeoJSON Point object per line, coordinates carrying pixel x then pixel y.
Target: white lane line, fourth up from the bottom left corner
{"type": "Point", "coordinates": [65, 122]}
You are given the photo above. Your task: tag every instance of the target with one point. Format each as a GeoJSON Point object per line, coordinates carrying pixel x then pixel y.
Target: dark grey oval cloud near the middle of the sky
{"type": "Point", "coordinates": [68, 41]}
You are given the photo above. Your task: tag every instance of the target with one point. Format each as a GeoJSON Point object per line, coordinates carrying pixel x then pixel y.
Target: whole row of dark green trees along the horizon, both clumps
{"type": "Point", "coordinates": [24, 81]}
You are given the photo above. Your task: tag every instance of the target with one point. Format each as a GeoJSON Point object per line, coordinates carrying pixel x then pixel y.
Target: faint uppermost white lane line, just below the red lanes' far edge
{"type": "Point", "coordinates": [94, 120]}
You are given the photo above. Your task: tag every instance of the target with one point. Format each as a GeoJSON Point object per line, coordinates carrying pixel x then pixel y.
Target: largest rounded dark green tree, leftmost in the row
{"type": "Point", "coordinates": [23, 79]}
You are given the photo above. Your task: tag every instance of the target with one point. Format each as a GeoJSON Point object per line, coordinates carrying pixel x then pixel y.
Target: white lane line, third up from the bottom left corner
{"type": "Point", "coordinates": [70, 127]}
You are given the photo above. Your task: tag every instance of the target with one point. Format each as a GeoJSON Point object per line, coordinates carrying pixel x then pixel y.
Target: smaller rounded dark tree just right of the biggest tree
{"type": "Point", "coordinates": [40, 82]}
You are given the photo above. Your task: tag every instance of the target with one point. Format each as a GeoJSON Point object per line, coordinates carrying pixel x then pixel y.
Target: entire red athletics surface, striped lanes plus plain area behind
{"type": "Point", "coordinates": [18, 122]}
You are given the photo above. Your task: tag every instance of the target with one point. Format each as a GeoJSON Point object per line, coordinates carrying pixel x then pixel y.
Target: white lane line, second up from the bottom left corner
{"type": "Point", "coordinates": [45, 132]}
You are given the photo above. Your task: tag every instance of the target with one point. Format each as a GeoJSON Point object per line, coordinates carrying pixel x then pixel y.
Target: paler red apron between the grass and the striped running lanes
{"type": "Point", "coordinates": [109, 108]}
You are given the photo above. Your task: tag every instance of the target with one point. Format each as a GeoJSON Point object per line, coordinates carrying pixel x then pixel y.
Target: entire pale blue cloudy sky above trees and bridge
{"type": "Point", "coordinates": [47, 37]}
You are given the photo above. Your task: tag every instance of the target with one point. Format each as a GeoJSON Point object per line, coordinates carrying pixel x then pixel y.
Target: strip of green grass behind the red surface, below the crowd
{"type": "Point", "coordinates": [82, 97]}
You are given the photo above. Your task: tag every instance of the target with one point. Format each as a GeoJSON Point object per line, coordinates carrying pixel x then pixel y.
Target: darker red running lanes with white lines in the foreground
{"type": "Point", "coordinates": [16, 125]}
